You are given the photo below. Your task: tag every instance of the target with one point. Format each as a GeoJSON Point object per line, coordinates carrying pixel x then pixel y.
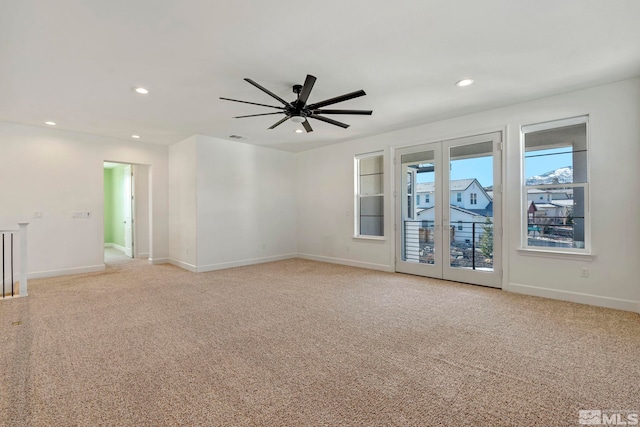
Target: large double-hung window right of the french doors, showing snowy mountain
{"type": "Point", "coordinates": [556, 165]}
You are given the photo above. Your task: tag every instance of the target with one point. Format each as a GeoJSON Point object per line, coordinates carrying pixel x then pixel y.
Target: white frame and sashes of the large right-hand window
{"type": "Point", "coordinates": [585, 186]}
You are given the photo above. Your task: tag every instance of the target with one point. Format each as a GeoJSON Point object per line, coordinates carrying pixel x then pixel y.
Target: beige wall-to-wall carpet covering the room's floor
{"type": "Point", "coordinates": [305, 343]}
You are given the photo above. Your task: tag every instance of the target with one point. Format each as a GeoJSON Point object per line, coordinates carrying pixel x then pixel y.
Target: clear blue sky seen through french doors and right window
{"type": "Point", "coordinates": [536, 163]}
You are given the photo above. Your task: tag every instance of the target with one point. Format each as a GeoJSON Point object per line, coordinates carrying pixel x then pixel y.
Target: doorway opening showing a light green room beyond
{"type": "Point", "coordinates": [126, 212]}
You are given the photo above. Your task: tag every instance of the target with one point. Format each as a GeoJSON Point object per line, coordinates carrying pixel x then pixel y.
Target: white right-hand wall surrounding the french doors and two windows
{"type": "Point", "coordinates": [326, 213]}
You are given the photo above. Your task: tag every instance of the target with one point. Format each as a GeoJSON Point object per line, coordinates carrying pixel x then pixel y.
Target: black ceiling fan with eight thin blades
{"type": "Point", "coordinates": [299, 111]}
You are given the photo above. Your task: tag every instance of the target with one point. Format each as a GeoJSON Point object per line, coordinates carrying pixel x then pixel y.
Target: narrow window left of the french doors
{"type": "Point", "coordinates": [369, 208]}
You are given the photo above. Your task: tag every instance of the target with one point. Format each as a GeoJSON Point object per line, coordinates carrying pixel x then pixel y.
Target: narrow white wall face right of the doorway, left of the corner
{"type": "Point", "coordinates": [182, 204]}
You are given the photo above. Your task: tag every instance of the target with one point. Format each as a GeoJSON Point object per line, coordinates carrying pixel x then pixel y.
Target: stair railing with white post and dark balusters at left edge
{"type": "Point", "coordinates": [9, 241]}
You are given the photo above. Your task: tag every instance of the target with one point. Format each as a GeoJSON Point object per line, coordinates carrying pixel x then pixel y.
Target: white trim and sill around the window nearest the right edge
{"type": "Point", "coordinates": [555, 252]}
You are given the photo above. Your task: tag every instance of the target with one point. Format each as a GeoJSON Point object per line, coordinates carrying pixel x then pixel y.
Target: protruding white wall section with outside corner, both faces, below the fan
{"type": "Point", "coordinates": [232, 201]}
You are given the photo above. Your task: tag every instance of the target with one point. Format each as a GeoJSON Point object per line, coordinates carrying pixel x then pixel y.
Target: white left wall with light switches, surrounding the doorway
{"type": "Point", "coordinates": [57, 173]}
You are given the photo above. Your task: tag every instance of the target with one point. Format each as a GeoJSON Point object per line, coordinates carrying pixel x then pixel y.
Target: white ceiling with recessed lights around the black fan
{"type": "Point", "coordinates": [75, 62]}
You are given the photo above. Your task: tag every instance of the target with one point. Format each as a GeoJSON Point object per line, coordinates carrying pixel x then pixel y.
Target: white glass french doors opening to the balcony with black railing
{"type": "Point", "coordinates": [448, 209]}
